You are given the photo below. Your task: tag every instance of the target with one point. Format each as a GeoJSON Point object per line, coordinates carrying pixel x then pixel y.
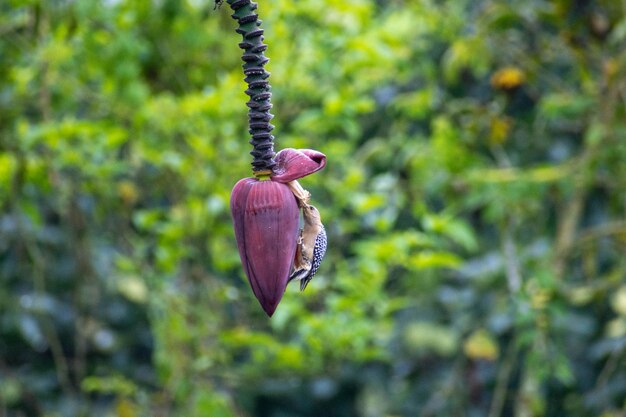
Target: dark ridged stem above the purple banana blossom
{"type": "Point", "coordinates": [258, 85]}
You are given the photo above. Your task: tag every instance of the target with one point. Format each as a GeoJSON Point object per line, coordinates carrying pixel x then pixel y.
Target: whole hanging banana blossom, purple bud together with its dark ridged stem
{"type": "Point", "coordinates": [265, 208]}
